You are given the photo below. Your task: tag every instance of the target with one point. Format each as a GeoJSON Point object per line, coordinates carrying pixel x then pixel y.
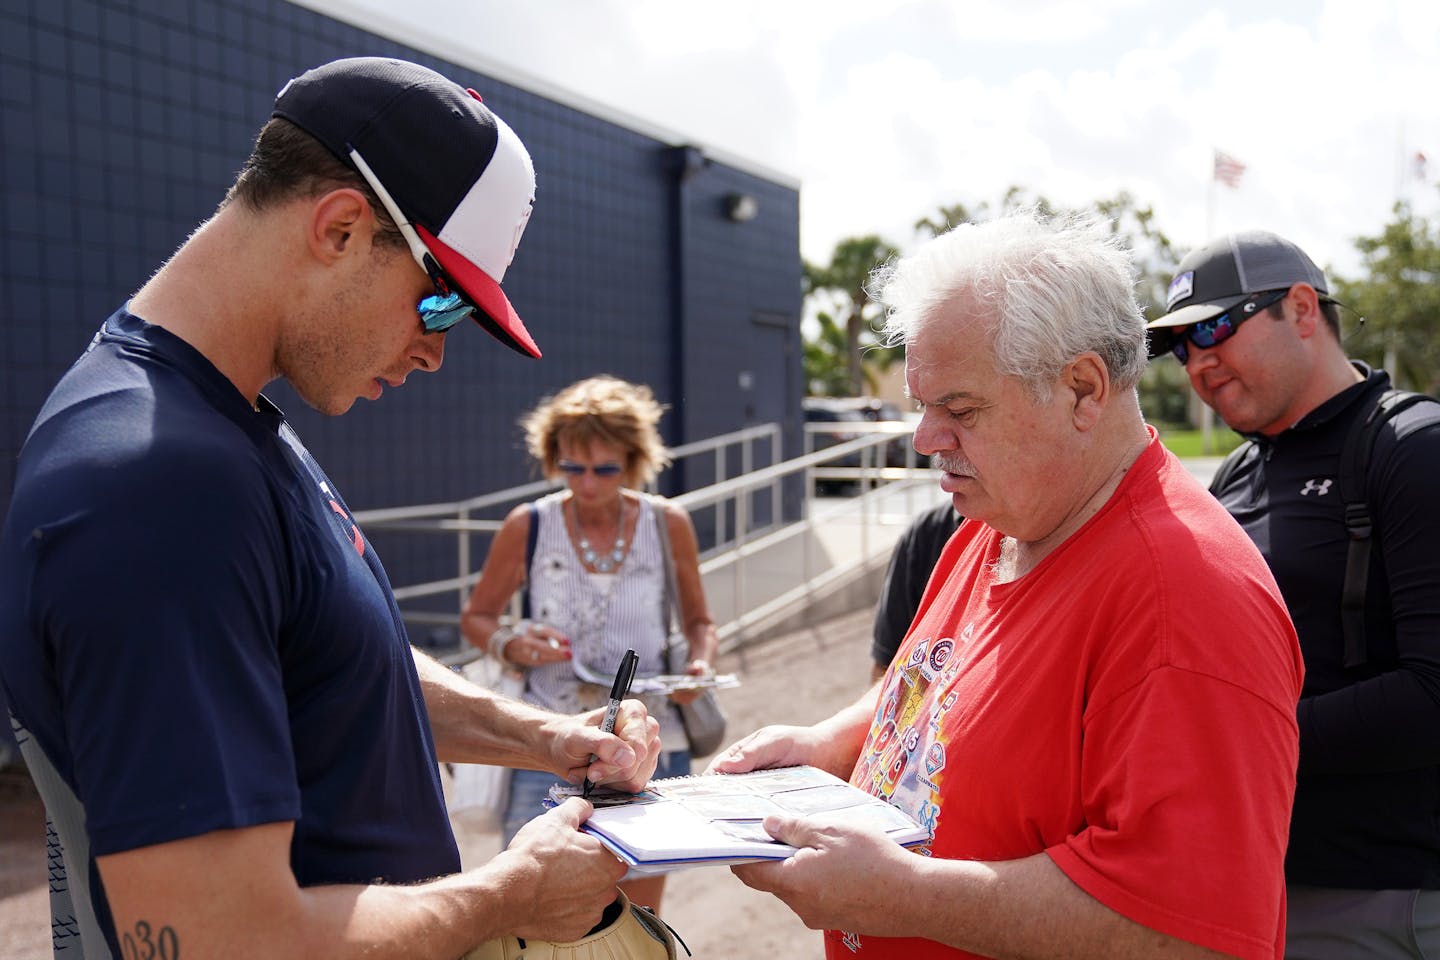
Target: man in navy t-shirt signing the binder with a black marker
{"type": "Point", "coordinates": [202, 654]}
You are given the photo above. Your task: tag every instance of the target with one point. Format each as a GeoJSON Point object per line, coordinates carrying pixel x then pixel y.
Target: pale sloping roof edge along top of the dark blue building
{"type": "Point", "coordinates": [449, 48]}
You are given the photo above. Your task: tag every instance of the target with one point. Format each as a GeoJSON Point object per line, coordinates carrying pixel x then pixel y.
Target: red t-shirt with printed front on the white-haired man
{"type": "Point", "coordinates": [1127, 707]}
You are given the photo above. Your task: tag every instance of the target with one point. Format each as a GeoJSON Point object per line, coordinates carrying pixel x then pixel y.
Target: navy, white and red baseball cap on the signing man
{"type": "Point", "coordinates": [456, 179]}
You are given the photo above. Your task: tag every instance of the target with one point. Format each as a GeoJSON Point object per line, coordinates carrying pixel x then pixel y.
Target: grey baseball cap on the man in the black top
{"type": "Point", "coordinates": [1225, 273]}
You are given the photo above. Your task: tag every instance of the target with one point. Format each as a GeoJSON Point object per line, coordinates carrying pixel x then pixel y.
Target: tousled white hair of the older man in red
{"type": "Point", "coordinates": [1050, 289]}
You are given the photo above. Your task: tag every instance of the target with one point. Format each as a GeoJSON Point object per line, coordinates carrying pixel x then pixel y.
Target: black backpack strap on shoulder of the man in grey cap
{"type": "Point", "coordinates": [1354, 471]}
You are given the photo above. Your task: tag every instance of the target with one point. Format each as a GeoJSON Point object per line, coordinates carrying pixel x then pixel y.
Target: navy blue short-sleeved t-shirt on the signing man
{"type": "Point", "coordinates": [197, 635]}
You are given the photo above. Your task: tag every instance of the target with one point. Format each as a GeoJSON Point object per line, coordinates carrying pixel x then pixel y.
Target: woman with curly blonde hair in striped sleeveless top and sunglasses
{"type": "Point", "coordinates": [597, 576]}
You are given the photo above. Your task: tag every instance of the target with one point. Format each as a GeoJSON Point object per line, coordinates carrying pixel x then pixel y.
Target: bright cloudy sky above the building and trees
{"type": "Point", "coordinates": [886, 110]}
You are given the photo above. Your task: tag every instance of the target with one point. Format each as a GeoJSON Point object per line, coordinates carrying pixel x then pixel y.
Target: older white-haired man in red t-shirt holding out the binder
{"type": "Point", "coordinates": [1095, 706]}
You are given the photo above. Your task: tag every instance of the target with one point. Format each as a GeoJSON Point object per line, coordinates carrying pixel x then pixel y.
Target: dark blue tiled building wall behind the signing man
{"type": "Point", "coordinates": [122, 124]}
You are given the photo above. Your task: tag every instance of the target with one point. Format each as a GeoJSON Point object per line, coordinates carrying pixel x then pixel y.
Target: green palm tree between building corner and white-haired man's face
{"type": "Point", "coordinates": [842, 284]}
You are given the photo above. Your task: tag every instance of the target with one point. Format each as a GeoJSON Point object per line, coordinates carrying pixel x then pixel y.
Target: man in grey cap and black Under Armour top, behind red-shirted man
{"type": "Point", "coordinates": [1252, 320]}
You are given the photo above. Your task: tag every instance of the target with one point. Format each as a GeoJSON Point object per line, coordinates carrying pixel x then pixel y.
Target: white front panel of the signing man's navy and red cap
{"type": "Point", "coordinates": [489, 221]}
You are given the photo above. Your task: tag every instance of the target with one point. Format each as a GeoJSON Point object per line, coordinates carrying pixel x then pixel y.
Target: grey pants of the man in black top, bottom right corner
{"type": "Point", "coordinates": [1343, 925]}
